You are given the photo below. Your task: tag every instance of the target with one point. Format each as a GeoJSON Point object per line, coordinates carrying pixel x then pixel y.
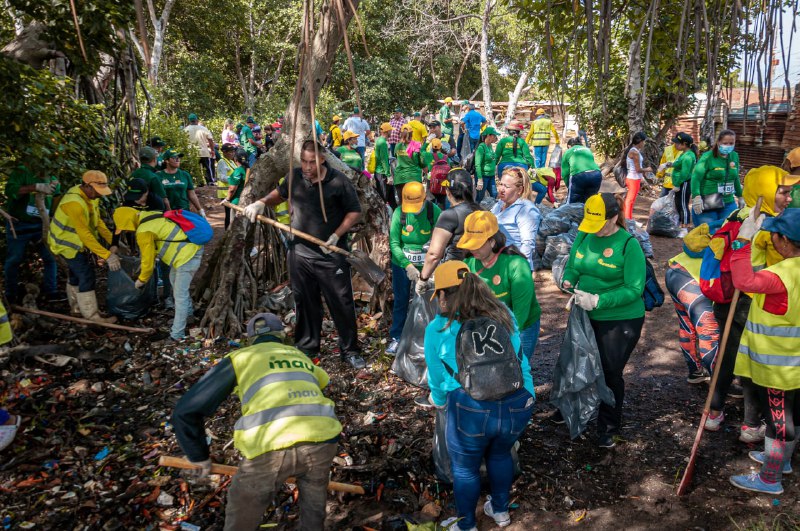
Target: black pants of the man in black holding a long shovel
{"type": "Point", "coordinates": [312, 279]}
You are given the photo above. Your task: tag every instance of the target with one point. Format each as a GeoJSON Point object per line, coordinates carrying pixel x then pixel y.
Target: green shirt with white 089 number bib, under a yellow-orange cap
{"type": "Point", "coordinates": [406, 241]}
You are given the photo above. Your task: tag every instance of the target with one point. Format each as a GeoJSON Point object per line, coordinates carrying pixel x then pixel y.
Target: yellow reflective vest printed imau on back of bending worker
{"type": "Point", "coordinates": [282, 402]}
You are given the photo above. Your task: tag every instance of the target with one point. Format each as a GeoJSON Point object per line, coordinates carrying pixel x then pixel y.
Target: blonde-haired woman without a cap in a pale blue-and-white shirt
{"type": "Point", "coordinates": [518, 217]}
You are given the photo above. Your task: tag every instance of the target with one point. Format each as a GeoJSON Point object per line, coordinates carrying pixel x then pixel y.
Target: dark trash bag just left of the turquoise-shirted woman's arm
{"type": "Point", "coordinates": [409, 362]}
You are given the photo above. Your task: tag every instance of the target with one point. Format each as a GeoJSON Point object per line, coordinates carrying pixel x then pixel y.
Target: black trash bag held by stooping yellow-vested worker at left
{"type": "Point", "coordinates": [123, 299]}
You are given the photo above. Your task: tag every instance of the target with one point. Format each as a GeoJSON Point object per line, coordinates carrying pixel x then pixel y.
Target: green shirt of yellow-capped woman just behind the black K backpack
{"type": "Point", "coordinates": [511, 280]}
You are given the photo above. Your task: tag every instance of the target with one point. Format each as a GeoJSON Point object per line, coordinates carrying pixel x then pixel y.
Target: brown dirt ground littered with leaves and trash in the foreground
{"type": "Point", "coordinates": [86, 455]}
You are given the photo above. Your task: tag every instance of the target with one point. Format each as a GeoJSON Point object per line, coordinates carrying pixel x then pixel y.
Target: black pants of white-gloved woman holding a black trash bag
{"type": "Point", "coordinates": [615, 342]}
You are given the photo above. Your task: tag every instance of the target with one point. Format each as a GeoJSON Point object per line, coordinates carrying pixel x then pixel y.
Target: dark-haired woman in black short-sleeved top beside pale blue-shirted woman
{"type": "Point", "coordinates": [449, 228]}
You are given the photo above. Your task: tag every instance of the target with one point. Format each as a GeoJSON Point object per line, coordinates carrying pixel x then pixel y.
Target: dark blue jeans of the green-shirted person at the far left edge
{"type": "Point", "coordinates": [15, 256]}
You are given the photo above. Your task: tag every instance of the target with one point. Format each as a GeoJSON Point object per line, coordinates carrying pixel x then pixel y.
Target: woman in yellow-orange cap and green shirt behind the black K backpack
{"type": "Point", "coordinates": [505, 270]}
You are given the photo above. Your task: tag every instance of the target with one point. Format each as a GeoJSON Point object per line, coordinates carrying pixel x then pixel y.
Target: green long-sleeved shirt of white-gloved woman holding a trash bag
{"type": "Point", "coordinates": [612, 267]}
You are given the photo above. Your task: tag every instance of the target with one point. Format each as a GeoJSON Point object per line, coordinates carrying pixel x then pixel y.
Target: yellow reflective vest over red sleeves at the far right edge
{"type": "Point", "coordinates": [769, 352]}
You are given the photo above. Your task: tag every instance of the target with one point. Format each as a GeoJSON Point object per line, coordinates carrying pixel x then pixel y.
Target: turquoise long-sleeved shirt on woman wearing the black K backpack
{"type": "Point", "coordinates": [440, 348]}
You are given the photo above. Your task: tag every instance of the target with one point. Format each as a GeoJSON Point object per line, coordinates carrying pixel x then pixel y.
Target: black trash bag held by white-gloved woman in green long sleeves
{"type": "Point", "coordinates": [578, 382]}
